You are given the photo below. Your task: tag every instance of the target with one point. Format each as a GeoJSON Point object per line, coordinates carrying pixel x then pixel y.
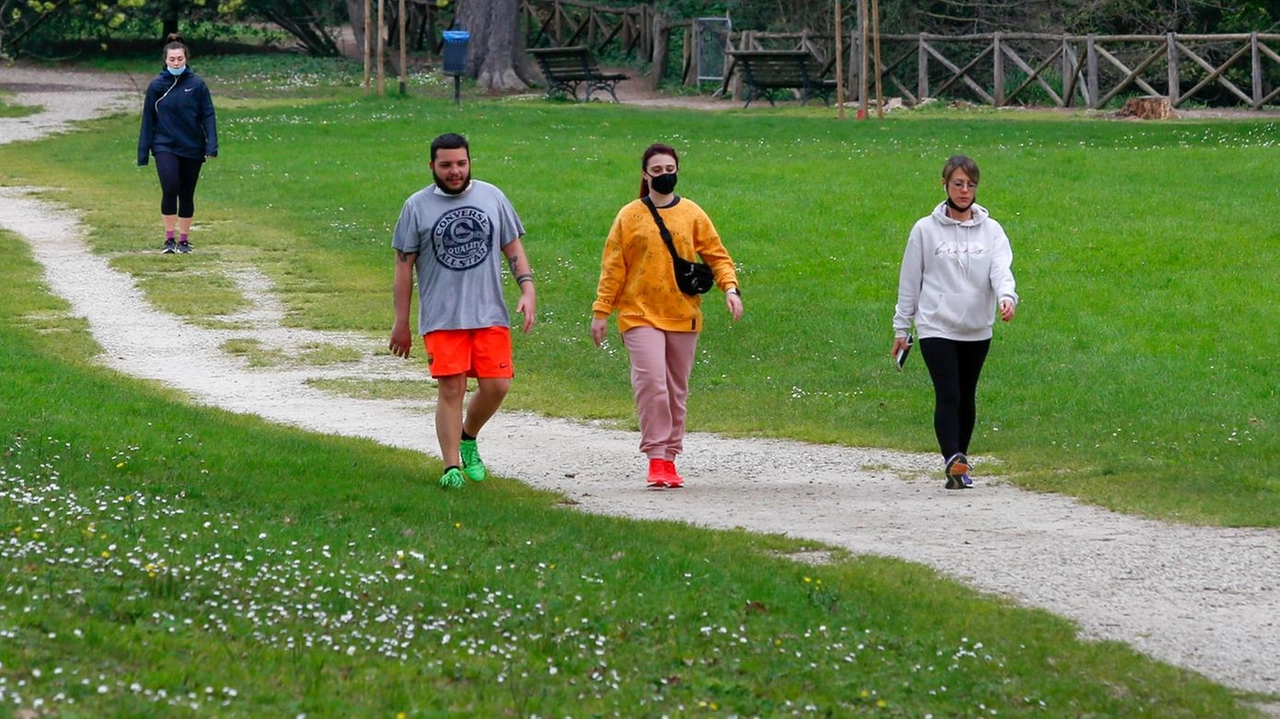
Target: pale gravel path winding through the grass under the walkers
{"type": "Point", "coordinates": [1208, 599]}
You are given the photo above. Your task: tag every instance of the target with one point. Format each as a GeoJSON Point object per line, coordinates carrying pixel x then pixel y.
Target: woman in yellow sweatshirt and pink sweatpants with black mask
{"type": "Point", "coordinates": [660, 324]}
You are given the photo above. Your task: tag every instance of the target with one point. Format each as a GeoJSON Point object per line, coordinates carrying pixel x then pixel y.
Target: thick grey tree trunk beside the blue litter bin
{"type": "Point", "coordinates": [497, 49]}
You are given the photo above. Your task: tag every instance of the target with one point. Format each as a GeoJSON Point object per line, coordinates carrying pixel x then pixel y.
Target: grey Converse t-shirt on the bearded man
{"type": "Point", "coordinates": [459, 241]}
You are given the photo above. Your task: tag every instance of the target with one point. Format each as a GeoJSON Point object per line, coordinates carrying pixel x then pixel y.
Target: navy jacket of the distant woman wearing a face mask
{"type": "Point", "coordinates": [179, 117]}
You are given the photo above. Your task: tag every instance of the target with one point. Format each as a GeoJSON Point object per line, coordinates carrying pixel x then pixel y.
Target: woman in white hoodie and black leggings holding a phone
{"type": "Point", "coordinates": [956, 276]}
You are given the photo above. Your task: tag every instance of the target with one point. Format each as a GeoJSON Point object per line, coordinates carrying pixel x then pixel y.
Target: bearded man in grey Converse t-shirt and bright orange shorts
{"type": "Point", "coordinates": [452, 235]}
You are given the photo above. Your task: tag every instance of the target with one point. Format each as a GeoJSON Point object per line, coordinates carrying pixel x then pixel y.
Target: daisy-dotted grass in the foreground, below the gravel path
{"type": "Point", "coordinates": [163, 560]}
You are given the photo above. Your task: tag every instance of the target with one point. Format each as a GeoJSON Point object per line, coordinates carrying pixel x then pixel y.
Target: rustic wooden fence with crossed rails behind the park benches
{"type": "Point", "coordinates": [998, 70]}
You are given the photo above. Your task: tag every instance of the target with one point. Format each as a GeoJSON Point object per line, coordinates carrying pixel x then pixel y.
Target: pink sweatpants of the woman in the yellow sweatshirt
{"type": "Point", "coordinates": [661, 364]}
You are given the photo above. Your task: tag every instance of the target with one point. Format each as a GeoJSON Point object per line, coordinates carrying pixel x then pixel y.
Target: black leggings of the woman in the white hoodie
{"type": "Point", "coordinates": [954, 368]}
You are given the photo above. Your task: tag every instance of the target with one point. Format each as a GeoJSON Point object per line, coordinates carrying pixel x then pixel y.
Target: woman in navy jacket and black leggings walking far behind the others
{"type": "Point", "coordinates": [179, 127]}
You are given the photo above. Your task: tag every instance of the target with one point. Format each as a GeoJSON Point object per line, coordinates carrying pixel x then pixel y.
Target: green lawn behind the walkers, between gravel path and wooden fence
{"type": "Point", "coordinates": [1139, 374]}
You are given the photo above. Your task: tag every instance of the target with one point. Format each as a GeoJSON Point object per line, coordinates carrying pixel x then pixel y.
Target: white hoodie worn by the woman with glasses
{"type": "Point", "coordinates": [953, 277]}
